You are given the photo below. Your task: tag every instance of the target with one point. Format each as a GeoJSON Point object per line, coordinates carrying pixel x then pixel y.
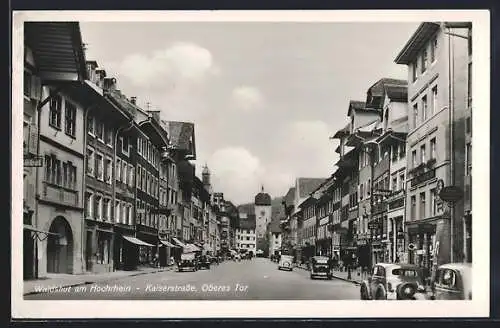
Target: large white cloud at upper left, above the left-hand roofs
{"type": "Point", "coordinates": [180, 63]}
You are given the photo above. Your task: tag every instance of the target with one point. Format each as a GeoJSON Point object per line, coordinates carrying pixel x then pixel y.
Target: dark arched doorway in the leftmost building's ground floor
{"type": "Point", "coordinates": [60, 247]}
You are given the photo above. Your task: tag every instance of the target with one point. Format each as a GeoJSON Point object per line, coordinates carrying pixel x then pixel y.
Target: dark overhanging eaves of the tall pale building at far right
{"type": "Point", "coordinates": [419, 38]}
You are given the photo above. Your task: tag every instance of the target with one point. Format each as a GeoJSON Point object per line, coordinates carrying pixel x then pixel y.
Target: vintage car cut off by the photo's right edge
{"type": "Point", "coordinates": [452, 282]}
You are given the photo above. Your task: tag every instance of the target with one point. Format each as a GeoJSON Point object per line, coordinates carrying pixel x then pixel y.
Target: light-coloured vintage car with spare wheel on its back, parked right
{"type": "Point", "coordinates": [393, 281]}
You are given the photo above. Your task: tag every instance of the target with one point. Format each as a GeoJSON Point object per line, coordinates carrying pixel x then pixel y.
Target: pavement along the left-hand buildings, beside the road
{"type": "Point", "coordinates": [70, 280]}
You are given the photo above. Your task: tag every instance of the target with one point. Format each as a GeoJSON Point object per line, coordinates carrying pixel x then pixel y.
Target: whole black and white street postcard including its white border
{"type": "Point", "coordinates": [272, 157]}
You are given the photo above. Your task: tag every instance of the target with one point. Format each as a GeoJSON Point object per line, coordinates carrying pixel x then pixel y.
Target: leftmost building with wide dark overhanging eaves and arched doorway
{"type": "Point", "coordinates": [54, 142]}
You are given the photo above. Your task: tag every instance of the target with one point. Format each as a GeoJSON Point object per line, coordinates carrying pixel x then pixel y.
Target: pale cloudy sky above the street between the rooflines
{"type": "Point", "coordinates": [265, 97]}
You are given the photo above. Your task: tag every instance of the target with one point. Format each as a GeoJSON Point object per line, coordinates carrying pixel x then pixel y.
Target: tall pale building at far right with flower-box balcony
{"type": "Point", "coordinates": [437, 56]}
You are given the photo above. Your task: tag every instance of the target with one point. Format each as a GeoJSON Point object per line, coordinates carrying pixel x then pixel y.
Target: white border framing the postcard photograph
{"type": "Point", "coordinates": [478, 307]}
